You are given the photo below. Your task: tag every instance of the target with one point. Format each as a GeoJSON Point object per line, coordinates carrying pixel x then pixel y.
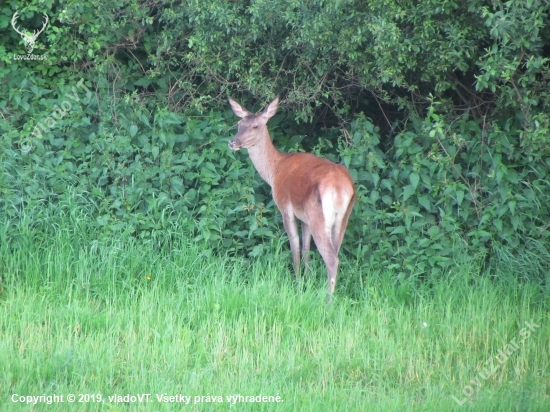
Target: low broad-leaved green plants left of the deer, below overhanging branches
{"type": "Point", "coordinates": [142, 174]}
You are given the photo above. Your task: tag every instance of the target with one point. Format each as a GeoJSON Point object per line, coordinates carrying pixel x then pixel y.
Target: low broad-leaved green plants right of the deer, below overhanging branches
{"type": "Point", "coordinates": [443, 192]}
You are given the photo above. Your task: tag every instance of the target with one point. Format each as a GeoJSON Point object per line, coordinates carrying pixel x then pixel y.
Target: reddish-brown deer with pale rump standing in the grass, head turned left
{"type": "Point", "coordinates": [305, 187]}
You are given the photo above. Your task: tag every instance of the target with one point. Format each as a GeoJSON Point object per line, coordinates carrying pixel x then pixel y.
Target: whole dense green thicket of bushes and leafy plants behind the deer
{"type": "Point", "coordinates": [439, 108]}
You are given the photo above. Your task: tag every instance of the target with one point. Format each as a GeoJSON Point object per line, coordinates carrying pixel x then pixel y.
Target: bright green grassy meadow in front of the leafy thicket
{"type": "Point", "coordinates": [116, 316]}
